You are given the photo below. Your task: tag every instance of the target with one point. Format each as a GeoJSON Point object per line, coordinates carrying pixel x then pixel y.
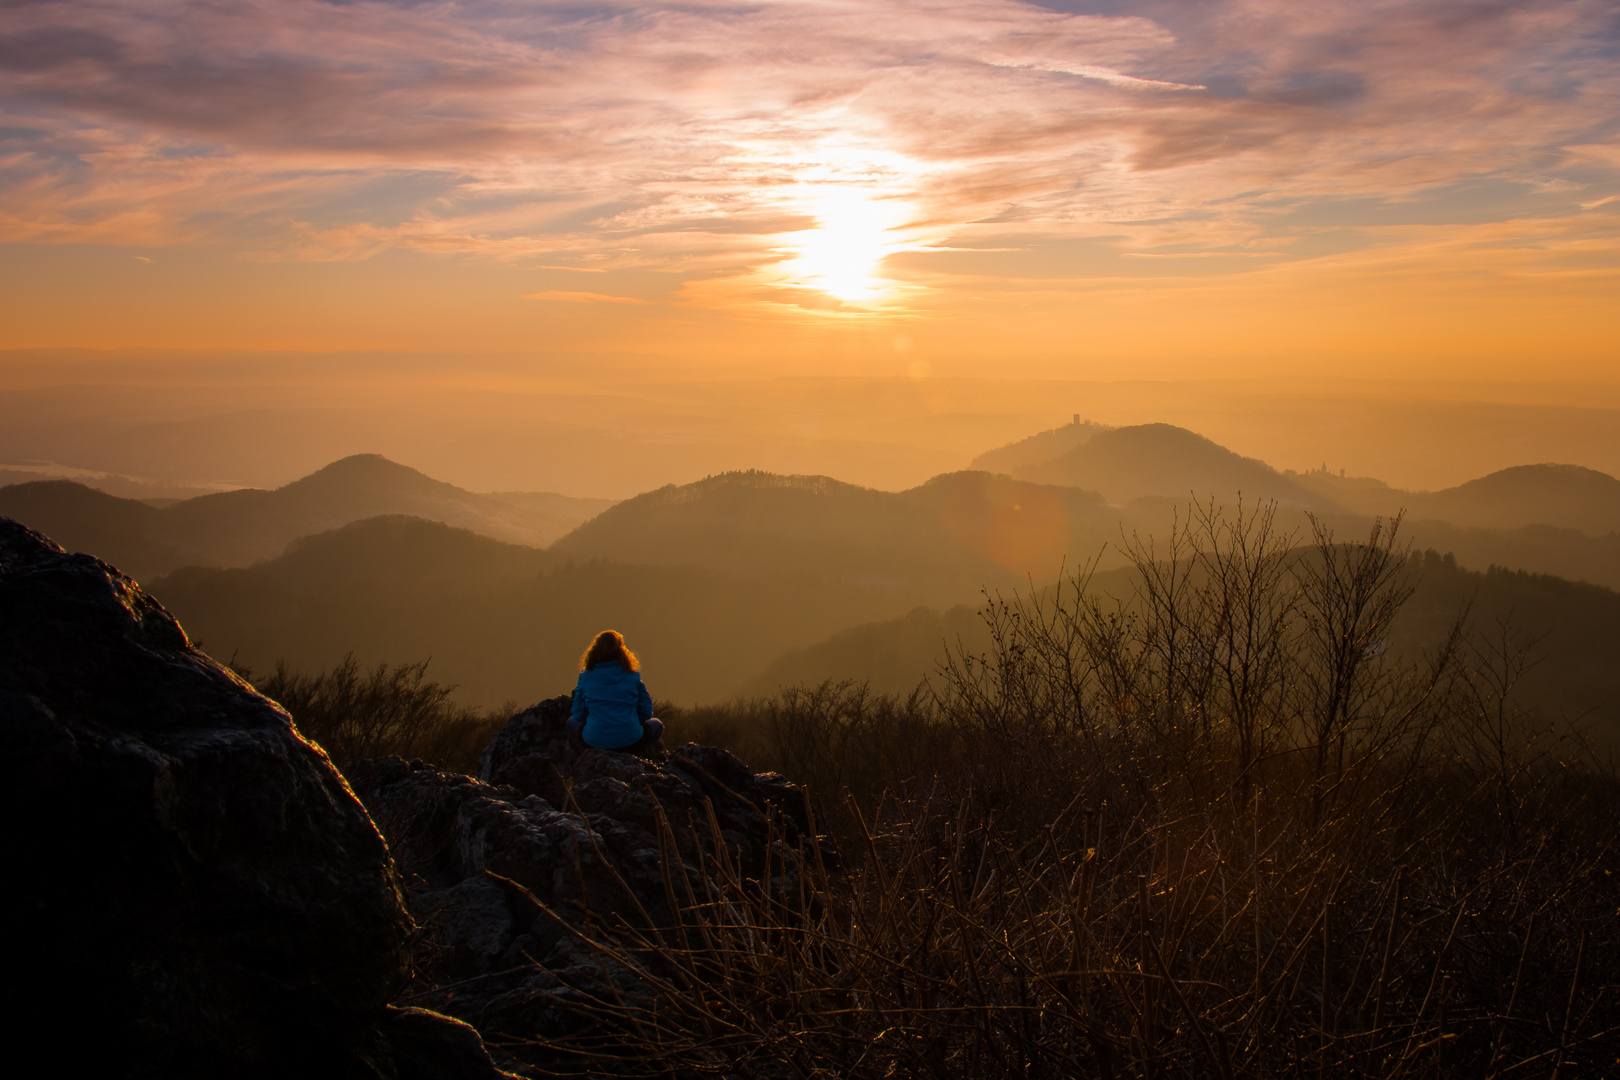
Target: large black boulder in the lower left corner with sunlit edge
{"type": "Point", "coordinates": [192, 888]}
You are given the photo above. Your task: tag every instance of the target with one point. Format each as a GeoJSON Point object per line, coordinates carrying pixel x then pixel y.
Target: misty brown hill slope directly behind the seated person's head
{"type": "Point", "coordinates": [505, 623]}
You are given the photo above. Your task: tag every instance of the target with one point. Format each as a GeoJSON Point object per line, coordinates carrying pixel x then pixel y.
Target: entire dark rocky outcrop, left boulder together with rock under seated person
{"type": "Point", "coordinates": [198, 893]}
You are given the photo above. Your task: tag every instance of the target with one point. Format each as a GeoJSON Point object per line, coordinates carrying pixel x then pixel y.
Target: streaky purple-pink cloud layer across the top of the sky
{"type": "Point", "coordinates": [706, 138]}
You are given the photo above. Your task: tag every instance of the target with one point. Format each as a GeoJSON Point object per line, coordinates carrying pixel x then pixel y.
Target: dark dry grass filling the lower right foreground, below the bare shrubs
{"type": "Point", "coordinates": [1106, 943]}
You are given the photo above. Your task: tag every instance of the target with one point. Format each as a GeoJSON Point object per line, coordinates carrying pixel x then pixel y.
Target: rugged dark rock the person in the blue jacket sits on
{"type": "Point", "coordinates": [516, 872]}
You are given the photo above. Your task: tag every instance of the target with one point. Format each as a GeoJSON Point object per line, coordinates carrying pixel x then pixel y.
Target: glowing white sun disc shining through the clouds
{"type": "Point", "coordinates": [853, 236]}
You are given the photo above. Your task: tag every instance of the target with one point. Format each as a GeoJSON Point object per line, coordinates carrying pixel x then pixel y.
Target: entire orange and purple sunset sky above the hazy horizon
{"type": "Point", "coordinates": [973, 187]}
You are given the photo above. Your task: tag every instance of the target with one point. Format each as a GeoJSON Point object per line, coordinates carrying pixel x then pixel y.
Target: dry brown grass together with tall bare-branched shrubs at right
{"type": "Point", "coordinates": [1213, 830]}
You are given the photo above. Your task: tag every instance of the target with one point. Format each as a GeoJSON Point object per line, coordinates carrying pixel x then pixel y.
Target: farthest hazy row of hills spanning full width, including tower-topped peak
{"type": "Point", "coordinates": [932, 545]}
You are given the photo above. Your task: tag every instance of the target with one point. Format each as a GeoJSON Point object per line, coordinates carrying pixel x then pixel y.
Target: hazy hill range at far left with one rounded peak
{"type": "Point", "coordinates": [237, 529]}
